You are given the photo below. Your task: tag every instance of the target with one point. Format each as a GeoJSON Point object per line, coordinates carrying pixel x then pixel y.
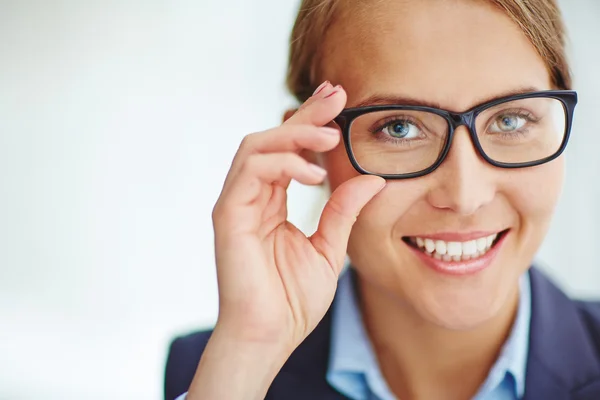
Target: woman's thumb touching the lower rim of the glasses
{"type": "Point", "coordinates": [339, 215]}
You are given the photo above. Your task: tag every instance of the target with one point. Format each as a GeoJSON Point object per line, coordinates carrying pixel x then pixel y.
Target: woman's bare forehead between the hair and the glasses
{"type": "Point", "coordinates": [455, 53]}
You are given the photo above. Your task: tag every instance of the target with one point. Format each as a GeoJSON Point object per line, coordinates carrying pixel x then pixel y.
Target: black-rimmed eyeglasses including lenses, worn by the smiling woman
{"type": "Point", "coordinates": [400, 142]}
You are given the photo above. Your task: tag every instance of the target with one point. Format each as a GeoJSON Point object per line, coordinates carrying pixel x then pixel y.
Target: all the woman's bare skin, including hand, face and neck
{"type": "Point", "coordinates": [435, 335]}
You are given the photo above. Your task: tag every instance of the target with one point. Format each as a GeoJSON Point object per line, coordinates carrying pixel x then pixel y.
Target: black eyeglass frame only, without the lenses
{"type": "Point", "coordinates": [568, 98]}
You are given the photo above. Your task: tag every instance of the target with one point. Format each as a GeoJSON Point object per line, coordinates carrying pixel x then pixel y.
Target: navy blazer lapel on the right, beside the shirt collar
{"type": "Point", "coordinates": [561, 363]}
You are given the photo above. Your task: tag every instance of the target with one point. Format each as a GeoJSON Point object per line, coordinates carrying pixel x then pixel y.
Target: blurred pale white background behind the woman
{"type": "Point", "coordinates": [118, 122]}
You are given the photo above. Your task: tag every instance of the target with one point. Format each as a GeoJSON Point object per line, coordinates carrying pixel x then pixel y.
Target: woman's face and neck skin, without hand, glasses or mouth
{"type": "Point", "coordinates": [448, 320]}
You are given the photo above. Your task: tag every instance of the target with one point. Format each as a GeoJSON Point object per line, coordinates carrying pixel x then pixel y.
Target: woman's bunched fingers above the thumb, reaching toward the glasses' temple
{"type": "Point", "coordinates": [271, 157]}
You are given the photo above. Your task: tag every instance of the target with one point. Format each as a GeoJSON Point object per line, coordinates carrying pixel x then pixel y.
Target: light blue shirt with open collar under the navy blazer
{"type": "Point", "coordinates": [354, 371]}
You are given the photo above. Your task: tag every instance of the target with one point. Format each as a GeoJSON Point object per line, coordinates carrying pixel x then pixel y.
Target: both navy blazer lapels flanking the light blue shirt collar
{"type": "Point", "coordinates": [561, 364]}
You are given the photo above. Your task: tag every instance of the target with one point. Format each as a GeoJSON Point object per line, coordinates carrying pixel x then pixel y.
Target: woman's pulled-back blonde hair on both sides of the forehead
{"type": "Point", "coordinates": [540, 20]}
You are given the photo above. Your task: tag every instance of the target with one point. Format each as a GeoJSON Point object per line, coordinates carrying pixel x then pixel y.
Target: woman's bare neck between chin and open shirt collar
{"type": "Point", "coordinates": [421, 360]}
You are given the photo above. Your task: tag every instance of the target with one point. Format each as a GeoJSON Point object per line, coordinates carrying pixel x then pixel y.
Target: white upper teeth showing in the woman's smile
{"type": "Point", "coordinates": [455, 251]}
